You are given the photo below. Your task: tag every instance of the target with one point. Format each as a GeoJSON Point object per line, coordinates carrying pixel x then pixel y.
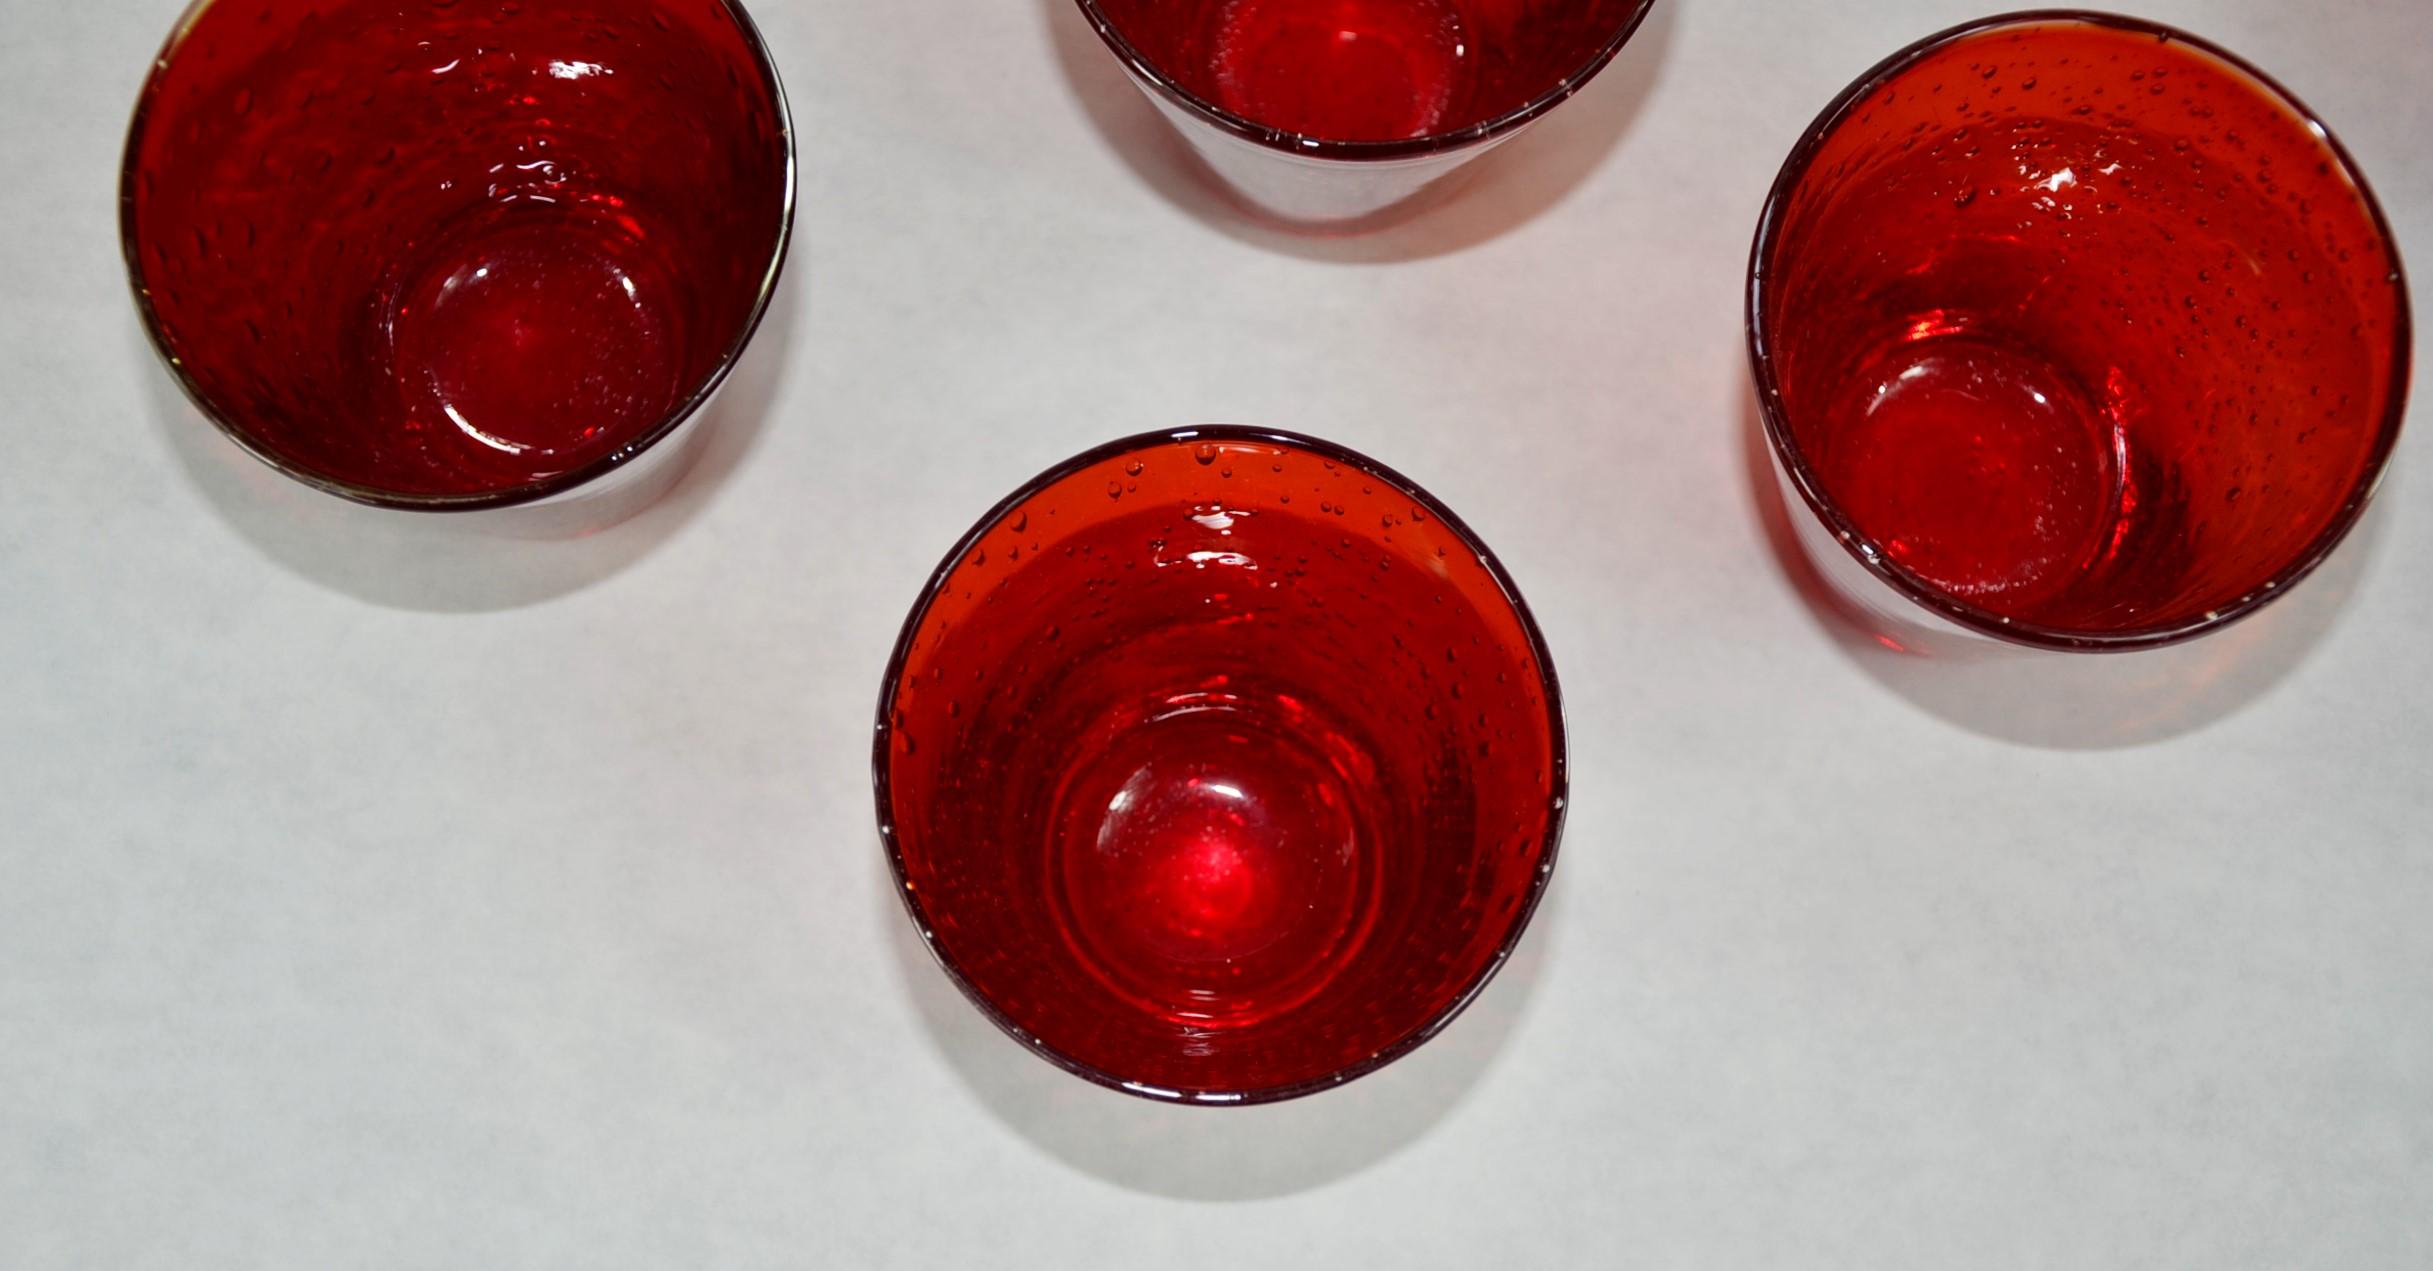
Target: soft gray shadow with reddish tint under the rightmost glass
{"type": "Point", "coordinates": [2072, 700]}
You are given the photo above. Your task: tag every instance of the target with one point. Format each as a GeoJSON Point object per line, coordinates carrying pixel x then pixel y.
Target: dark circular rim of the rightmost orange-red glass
{"type": "Point", "coordinates": [1906, 581]}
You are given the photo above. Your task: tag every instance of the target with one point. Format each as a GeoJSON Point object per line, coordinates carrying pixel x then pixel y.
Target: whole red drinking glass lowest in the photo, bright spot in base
{"type": "Point", "coordinates": [1220, 766]}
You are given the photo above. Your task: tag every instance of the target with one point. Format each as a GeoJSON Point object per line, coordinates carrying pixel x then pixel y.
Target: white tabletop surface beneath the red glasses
{"type": "Point", "coordinates": [383, 902]}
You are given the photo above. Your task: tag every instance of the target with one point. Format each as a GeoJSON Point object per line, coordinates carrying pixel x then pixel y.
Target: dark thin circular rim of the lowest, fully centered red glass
{"type": "Point", "coordinates": [1549, 841]}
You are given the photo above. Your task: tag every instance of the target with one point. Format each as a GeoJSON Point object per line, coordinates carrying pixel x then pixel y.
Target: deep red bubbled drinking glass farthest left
{"type": "Point", "coordinates": [456, 254]}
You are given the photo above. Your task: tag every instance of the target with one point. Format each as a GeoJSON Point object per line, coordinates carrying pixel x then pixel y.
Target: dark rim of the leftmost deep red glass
{"type": "Point", "coordinates": [529, 493]}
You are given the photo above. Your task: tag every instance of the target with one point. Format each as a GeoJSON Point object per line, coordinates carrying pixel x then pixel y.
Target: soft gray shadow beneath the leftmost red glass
{"type": "Point", "coordinates": [485, 561]}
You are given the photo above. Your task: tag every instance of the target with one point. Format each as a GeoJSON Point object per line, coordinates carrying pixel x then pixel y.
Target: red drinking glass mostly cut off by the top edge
{"type": "Point", "coordinates": [1332, 111]}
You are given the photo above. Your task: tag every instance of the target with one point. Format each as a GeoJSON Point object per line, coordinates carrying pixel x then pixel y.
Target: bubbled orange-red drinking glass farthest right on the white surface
{"type": "Point", "coordinates": [2077, 332]}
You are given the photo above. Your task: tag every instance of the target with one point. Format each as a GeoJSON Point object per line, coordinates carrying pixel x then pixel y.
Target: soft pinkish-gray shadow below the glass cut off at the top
{"type": "Point", "coordinates": [1485, 198]}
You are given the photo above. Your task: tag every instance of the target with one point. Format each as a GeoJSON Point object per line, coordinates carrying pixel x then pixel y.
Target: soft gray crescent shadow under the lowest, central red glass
{"type": "Point", "coordinates": [1218, 1153]}
